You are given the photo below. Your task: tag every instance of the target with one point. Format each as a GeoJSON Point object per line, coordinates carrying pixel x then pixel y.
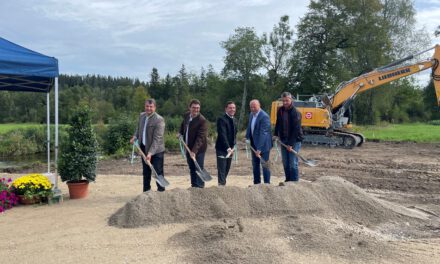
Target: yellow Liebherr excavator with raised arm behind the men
{"type": "Point", "coordinates": [324, 118]}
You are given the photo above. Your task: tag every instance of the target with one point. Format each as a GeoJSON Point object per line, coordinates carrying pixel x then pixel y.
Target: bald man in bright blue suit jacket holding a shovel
{"type": "Point", "coordinates": [259, 134]}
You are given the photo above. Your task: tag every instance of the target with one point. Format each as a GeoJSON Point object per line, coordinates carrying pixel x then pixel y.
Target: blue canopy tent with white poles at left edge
{"type": "Point", "coordinates": [24, 70]}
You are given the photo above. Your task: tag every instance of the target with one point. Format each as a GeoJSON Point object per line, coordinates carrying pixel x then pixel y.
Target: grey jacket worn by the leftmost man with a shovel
{"type": "Point", "coordinates": [155, 130]}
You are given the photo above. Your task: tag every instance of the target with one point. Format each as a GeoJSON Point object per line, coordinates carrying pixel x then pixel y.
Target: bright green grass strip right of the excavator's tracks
{"type": "Point", "coordinates": [414, 132]}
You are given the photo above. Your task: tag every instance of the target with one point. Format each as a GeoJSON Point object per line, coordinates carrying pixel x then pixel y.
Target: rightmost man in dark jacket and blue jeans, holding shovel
{"type": "Point", "coordinates": [288, 130]}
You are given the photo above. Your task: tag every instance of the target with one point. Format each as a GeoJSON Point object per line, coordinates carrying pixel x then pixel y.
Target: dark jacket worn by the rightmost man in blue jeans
{"type": "Point", "coordinates": [294, 131]}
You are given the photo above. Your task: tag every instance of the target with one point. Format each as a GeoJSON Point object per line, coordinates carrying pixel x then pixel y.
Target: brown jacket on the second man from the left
{"type": "Point", "coordinates": [197, 132]}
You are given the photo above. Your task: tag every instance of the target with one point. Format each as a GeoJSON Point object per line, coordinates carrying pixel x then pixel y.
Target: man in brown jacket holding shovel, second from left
{"type": "Point", "coordinates": [194, 130]}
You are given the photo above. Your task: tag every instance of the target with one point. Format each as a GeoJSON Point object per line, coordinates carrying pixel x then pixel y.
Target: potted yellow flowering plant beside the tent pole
{"type": "Point", "coordinates": [32, 188]}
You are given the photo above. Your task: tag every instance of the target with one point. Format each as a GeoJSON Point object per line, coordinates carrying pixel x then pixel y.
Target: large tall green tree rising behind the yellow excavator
{"type": "Point", "coordinates": [341, 39]}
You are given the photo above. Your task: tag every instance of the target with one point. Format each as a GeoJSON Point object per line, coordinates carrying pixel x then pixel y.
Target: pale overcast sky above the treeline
{"type": "Point", "coordinates": [130, 37]}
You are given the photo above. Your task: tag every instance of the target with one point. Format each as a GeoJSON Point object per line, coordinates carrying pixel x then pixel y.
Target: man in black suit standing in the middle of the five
{"type": "Point", "coordinates": [226, 140]}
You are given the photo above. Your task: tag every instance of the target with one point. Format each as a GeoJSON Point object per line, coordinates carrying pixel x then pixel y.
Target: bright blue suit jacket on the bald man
{"type": "Point", "coordinates": [262, 136]}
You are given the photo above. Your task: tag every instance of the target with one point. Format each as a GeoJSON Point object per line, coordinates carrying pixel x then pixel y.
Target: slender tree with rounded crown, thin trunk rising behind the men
{"type": "Point", "coordinates": [243, 58]}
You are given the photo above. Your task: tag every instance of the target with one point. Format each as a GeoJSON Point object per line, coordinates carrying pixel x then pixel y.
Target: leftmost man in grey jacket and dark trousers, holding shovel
{"type": "Point", "coordinates": [149, 132]}
